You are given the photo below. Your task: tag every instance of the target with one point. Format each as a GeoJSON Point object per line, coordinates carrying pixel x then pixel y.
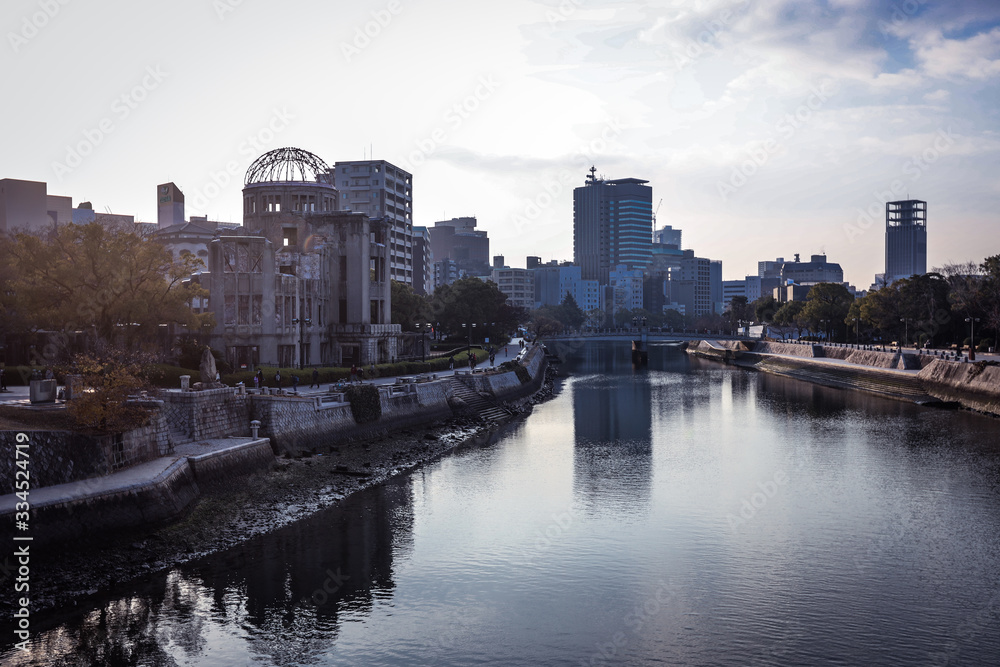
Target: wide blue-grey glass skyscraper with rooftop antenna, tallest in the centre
{"type": "Point", "coordinates": [612, 225]}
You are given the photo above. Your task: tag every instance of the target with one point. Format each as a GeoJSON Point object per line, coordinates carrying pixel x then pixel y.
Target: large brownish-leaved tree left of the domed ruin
{"type": "Point", "coordinates": [109, 280]}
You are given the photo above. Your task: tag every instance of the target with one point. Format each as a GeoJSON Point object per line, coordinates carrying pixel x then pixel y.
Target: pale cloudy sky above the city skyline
{"type": "Point", "coordinates": [767, 128]}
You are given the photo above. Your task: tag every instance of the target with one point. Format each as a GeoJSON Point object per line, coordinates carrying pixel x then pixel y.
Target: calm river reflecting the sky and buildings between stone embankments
{"type": "Point", "coordinates": [687, 513]}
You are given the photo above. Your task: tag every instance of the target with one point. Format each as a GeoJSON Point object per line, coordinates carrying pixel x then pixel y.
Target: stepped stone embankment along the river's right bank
{"type": "Point", "coordinates": [923, 378]}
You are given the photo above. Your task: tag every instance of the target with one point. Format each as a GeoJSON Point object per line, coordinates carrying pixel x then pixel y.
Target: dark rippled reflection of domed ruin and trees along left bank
{"type": "Point", "coordinates": [281, 595]}
